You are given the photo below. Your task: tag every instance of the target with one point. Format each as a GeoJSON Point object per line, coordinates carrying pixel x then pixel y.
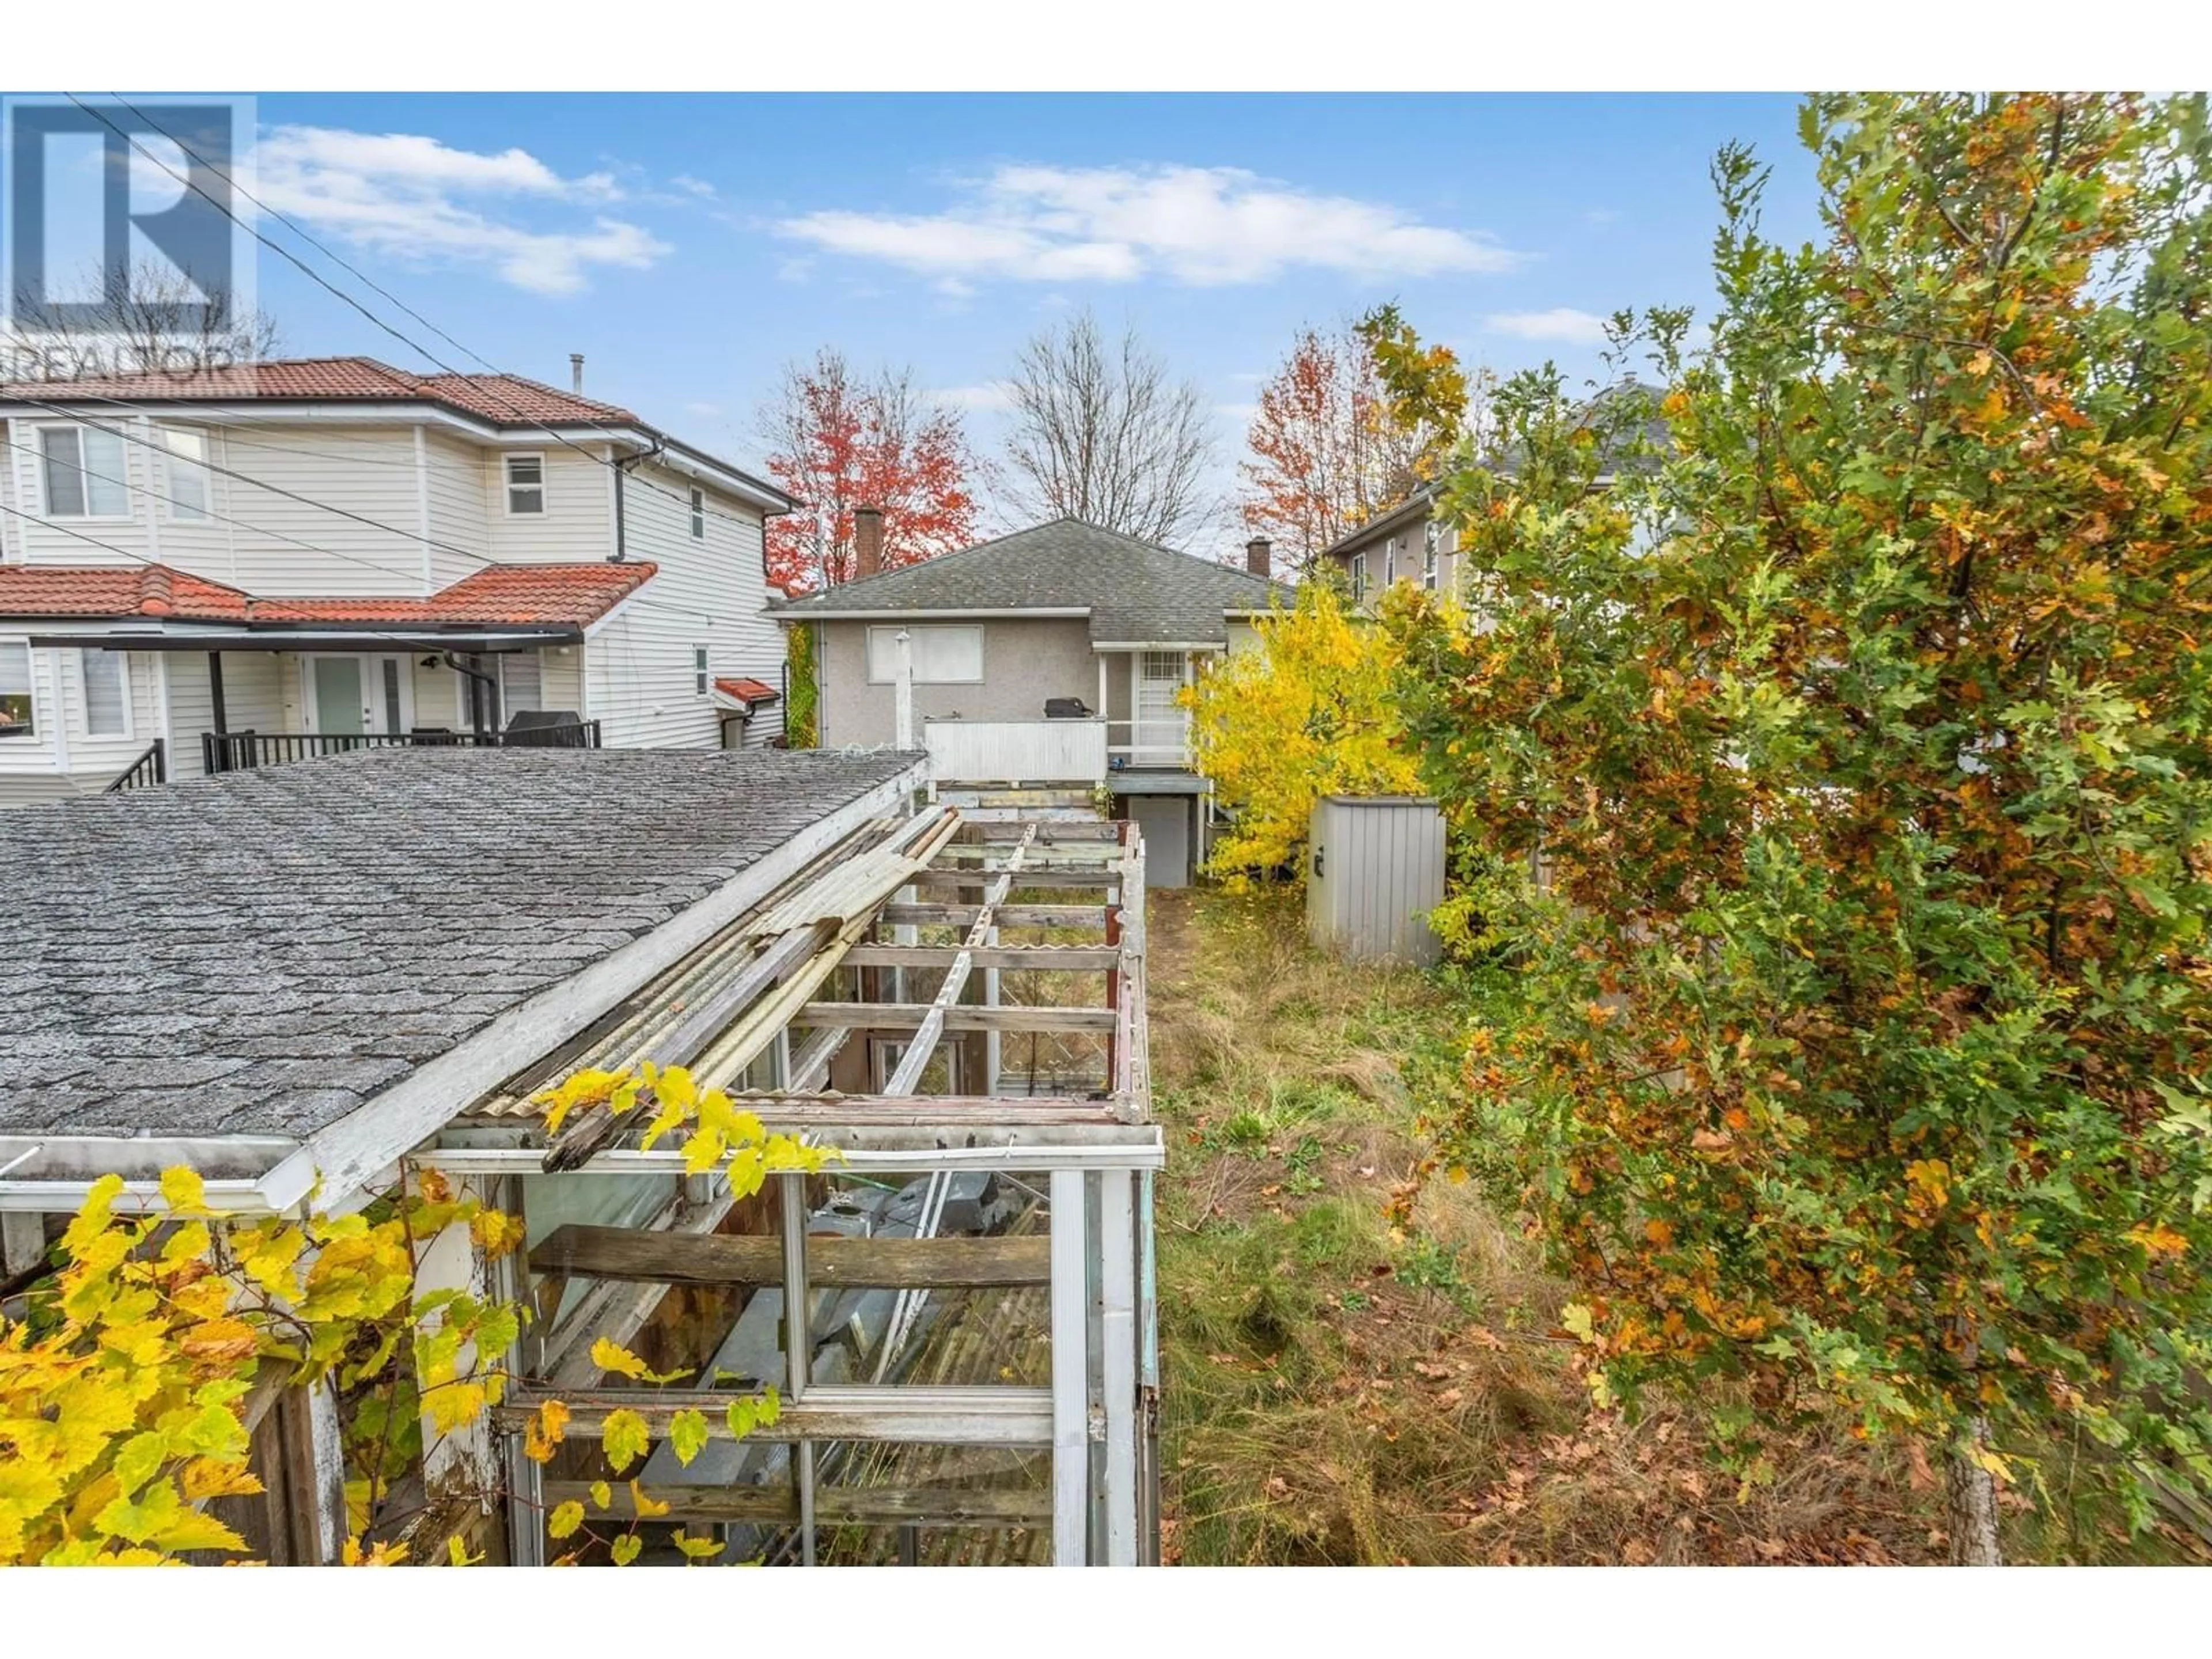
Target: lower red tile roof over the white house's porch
{"type": "Point", "coordinates": [545, 596]}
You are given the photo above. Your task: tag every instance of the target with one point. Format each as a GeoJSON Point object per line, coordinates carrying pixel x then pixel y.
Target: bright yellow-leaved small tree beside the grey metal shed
{"type": "Point", "coordinates": [1304, 713]}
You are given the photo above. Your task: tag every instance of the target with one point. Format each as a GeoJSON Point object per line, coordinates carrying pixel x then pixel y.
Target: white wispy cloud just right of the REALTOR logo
{"type": "Point", "coordinates": [415, 198]}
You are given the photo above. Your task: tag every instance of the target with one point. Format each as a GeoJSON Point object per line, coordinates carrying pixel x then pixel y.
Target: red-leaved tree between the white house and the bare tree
{"type": "Point", "coordinates": [839, 441]}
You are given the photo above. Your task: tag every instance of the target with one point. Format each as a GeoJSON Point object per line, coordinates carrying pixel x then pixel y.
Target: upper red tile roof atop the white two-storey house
{"type": "Point", "coordinates": [501, 399]}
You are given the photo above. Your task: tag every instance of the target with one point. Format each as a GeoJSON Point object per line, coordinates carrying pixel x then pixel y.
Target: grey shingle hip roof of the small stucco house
{"type": "Point", "coordinates": [1134, 592]}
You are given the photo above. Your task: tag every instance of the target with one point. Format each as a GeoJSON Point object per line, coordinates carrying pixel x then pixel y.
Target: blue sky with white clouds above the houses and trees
{"type": "Point", "coordinates": [691, 244]}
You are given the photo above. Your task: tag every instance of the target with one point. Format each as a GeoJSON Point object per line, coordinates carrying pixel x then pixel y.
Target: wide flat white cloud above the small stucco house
{"type": "Point", "coordinates": [1202, 227]}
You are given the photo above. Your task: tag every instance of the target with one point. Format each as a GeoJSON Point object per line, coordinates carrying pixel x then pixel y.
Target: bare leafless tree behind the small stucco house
{"type": "Point", "coordinates": [1105, 432]}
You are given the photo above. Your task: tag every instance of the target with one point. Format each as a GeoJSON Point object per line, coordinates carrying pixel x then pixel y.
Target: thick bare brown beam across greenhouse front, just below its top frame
{"type": "Point", "coordinates": [758, 1260]}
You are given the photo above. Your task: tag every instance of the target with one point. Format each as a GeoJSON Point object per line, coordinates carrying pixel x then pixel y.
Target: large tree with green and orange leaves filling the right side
{"type": "Point", "coordinates": [1861, 751]}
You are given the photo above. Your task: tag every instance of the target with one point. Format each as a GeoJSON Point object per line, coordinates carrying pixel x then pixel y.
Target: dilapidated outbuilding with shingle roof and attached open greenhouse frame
{"type": "Point", "coordinates": [954, 1308]}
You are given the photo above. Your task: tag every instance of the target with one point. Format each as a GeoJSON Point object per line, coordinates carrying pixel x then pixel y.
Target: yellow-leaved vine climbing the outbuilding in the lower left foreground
{"type": "Point", "coordinates": [132, 1375]}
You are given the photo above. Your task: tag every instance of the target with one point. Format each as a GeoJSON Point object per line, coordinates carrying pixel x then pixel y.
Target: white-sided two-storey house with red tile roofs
{"type": "Point", "coordinates": [293, 559]}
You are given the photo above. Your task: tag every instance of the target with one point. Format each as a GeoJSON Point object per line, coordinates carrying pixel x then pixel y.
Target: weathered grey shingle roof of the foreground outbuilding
{"type": "Point", "coordinates": [262, 952]}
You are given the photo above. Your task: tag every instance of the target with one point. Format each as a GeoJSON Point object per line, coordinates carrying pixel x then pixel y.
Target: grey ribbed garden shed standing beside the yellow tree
{"type": "Point", "coordinates": [1375, 868]}
